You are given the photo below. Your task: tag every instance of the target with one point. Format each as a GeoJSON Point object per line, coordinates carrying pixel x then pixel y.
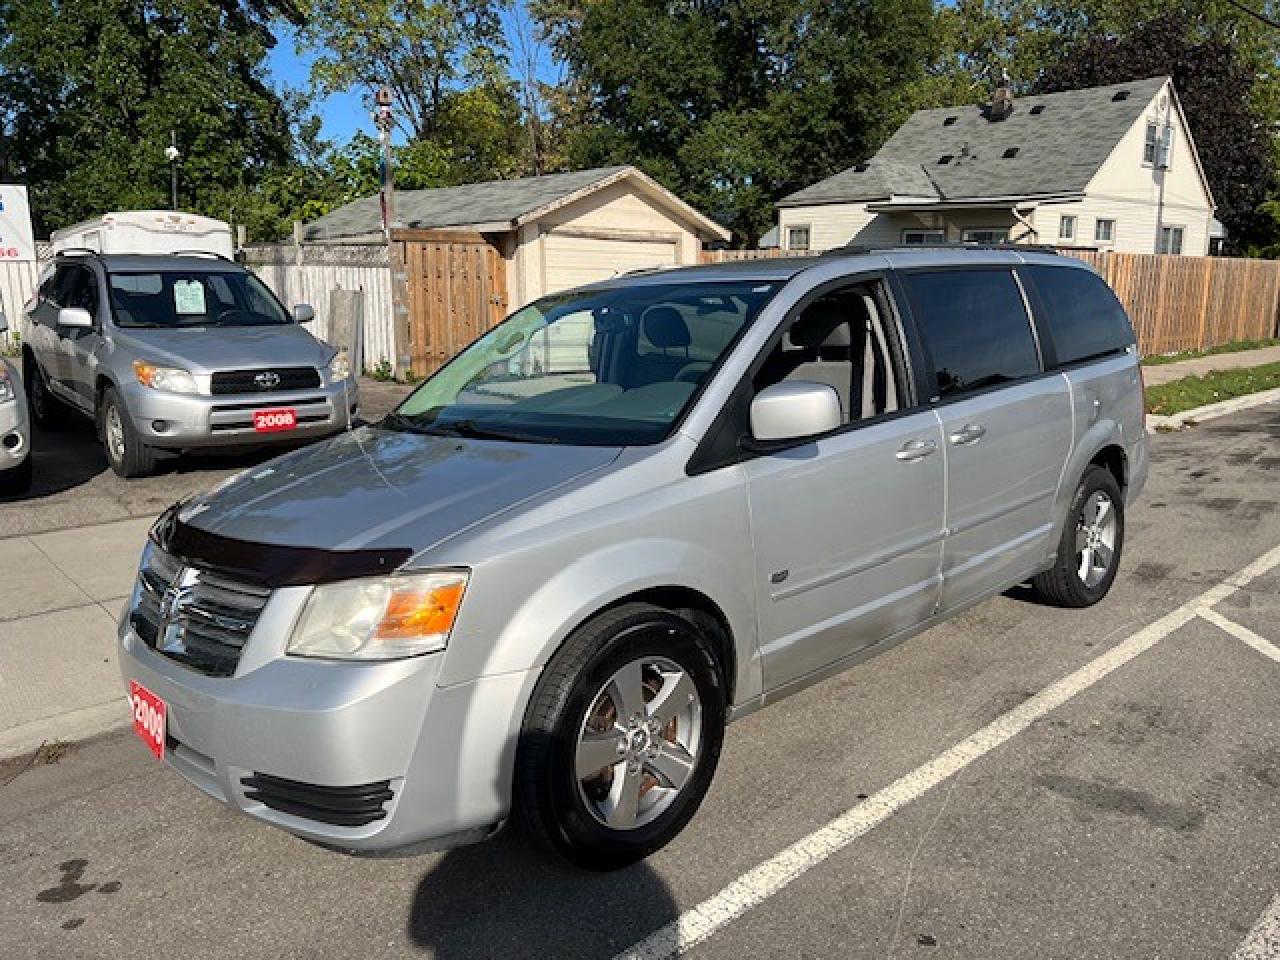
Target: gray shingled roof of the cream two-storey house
{"type": "Point", "coordinates": [1059, 149]}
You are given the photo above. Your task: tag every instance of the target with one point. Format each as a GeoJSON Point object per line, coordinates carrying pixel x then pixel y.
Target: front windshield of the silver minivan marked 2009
{"type": "Point", "coordinates": [604, 367]}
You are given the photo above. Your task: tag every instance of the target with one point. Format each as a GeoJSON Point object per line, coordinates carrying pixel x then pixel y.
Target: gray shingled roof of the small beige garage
{"type": "Point", "coordinates": [496, 202]}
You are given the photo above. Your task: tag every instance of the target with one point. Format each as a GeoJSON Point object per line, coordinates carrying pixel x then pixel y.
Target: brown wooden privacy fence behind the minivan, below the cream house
{"type": "Point", "coordinates": [1177, 303]}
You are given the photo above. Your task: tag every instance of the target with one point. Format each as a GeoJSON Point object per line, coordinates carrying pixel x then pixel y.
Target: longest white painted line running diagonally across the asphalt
{"type": "Point", "coordinates": [762, 883]}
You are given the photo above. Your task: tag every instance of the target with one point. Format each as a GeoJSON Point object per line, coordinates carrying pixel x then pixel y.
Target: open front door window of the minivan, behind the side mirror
{"type": "Point", "coordinates": [840, 340]}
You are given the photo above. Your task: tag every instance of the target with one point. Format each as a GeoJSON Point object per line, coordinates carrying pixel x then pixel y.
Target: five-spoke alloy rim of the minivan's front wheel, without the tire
{"type": "Point", "coordinates": [639, 742]}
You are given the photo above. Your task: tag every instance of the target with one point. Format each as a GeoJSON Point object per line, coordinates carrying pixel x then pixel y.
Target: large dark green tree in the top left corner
{"type": "Point", "coordinates": [92, 90]}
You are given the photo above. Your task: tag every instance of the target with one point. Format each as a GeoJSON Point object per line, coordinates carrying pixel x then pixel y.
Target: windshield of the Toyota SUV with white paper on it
{"type": "Point", "coordinates": [194, 299]}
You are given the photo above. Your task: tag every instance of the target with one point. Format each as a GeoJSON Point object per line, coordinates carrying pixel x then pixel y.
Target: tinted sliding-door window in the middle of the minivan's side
{"type": "Point", "coordinates": [975, 327]}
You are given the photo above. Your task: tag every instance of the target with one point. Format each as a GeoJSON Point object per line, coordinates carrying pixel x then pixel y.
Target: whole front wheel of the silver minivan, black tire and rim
{"type": "Point", "coordinates": [592, 821]}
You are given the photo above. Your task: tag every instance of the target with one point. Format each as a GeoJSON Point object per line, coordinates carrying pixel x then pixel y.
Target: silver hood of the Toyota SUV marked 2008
{"type": "Point", "coordinates": [205, 350]}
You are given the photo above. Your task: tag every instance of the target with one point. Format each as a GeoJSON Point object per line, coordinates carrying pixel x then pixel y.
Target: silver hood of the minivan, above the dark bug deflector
{"type": "Point", "coordinates": [374, 488]}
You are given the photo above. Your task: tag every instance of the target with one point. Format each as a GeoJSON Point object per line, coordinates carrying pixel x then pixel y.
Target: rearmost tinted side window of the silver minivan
{"type": "Point", "coordinates": [1085, 318]}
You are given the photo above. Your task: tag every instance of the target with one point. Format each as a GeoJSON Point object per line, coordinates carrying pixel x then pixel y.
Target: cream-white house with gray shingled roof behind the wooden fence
{"type": "Point", "coordinates": [1110, 168]}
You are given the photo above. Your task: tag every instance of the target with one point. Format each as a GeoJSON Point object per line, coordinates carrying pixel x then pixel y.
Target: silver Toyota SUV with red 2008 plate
{"type": "Point", "coordinates": [177, 353]}
